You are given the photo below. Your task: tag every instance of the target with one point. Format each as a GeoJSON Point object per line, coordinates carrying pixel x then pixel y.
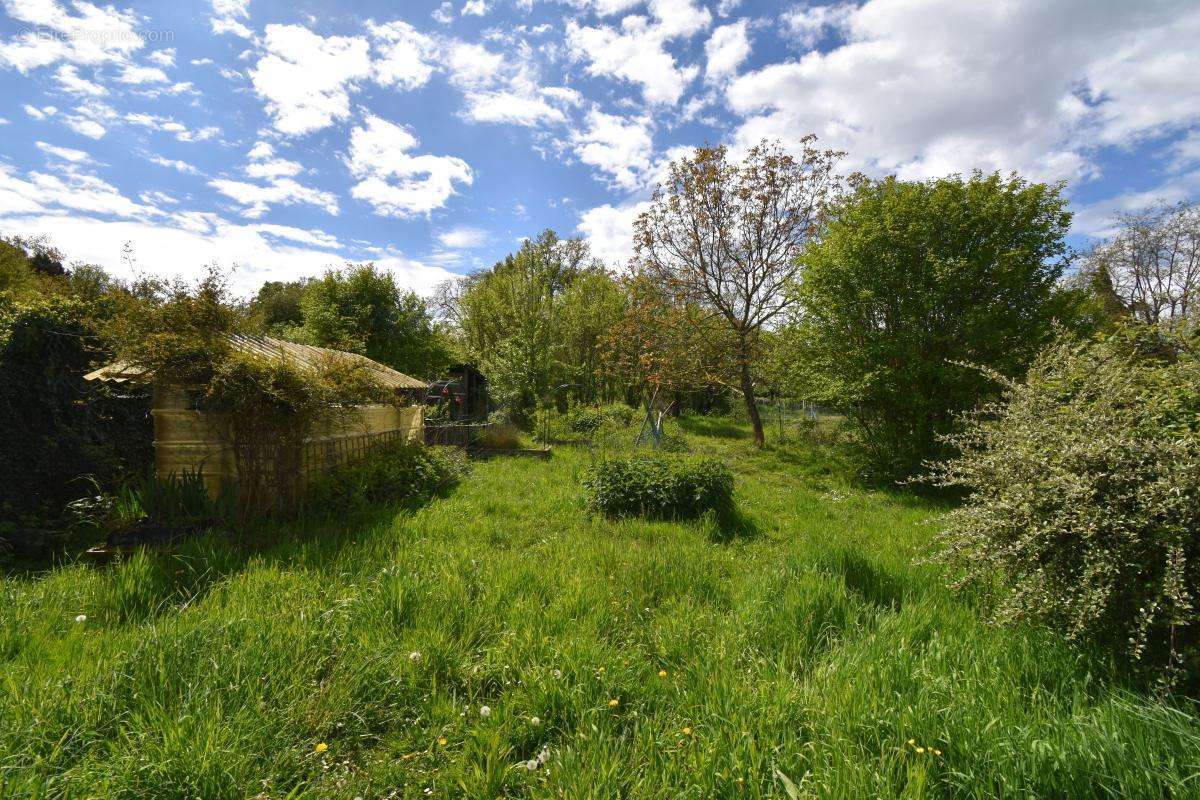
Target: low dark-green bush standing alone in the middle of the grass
{"type": "Point", "coordinates": [653, 486]}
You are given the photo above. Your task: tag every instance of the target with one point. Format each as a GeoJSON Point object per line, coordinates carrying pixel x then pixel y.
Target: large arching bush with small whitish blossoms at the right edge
{"type": "Point", "coordinates": [1084, 498]}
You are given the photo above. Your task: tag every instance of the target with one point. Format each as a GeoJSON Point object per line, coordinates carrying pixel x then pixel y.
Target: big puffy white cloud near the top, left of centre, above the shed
{"type": "Point", "coordinates": [307, 79]}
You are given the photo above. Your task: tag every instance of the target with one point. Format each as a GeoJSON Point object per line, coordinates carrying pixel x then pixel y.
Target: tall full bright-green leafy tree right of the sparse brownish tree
{"type": "Point", "coordinates": [910, 279]}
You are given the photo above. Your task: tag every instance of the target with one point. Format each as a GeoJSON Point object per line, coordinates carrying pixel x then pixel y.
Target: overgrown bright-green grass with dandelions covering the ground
{"type": "Point", "coordinates": [797, 654]}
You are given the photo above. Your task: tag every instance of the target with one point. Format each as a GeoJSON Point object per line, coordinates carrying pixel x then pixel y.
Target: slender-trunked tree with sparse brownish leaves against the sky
{"type": "Point", "coordinates": [728, 236]}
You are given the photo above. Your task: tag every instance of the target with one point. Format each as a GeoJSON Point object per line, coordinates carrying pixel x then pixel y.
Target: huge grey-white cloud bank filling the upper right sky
{"type": "Point", "coordinates": [923, 88]}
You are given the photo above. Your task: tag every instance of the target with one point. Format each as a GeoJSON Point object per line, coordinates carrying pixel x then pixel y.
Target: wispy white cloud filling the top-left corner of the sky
{"type": "Point", "coordinates": [50, 34]}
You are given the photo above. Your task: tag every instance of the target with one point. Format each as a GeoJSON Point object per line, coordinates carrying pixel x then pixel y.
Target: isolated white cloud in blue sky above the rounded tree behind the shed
{"type": "Point", "coordinates": [380, 153]}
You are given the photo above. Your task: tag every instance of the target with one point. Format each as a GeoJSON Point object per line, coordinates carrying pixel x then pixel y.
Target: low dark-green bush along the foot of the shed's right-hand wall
{"type": "Point", "coordinates": [399, 473]}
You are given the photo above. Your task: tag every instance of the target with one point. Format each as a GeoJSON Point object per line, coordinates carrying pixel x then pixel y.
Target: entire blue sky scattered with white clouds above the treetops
{"type": "Point", "coordinates": [430, 136]}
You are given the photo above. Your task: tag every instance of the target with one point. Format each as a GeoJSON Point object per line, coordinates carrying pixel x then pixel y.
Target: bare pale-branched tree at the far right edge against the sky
{"type": "Point", "coordinates": [1153, 263]}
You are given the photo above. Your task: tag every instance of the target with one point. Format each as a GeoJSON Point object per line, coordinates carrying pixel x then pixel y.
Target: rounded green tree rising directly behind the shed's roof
{"type": "Point", "coordinates": [362, 310]}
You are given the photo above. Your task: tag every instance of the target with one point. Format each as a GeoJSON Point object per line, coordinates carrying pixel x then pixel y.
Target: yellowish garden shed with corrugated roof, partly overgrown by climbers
{"type": "Point", "coordinates": [187, 437]}
